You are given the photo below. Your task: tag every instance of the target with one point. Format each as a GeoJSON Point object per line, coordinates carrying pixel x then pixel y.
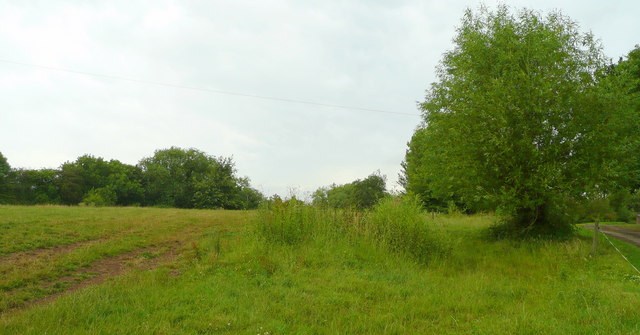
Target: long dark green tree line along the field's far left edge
{"type": "Point", "coordinates": [174, 177]}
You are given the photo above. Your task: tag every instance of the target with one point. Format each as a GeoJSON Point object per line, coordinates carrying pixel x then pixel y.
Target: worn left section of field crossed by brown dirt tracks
{"type": "Point", "coordinates": [45, 250]}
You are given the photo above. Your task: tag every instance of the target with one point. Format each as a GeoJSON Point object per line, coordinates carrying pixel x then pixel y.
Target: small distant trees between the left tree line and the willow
{"type": "Point", "coordinates": [359, 194]}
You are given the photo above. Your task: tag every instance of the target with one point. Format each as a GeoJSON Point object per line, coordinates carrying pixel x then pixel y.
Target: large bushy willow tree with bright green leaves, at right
{"type": "Point", "coordinates": [519, 117]}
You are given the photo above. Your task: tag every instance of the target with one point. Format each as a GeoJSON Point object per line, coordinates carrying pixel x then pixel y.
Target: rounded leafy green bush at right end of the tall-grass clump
{"type": "Point", "coordinates": [399, 224]}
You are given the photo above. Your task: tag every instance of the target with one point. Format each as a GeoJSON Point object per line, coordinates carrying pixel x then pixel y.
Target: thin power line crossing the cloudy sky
{"type": "Point", "coordinates": [149, 82]}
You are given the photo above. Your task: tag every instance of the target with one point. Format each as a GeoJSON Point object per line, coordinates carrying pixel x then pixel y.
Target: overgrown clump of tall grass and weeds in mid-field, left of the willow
{"type": "Point", "coordinates": [395, 223]}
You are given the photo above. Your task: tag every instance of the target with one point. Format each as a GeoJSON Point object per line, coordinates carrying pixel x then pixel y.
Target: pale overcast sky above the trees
{"type": "Point", "coordinates": [369, 54]}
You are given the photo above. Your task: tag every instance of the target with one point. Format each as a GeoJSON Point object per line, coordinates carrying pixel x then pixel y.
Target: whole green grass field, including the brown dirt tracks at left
{"type": "Point", "coordinates": [168, 271]}
